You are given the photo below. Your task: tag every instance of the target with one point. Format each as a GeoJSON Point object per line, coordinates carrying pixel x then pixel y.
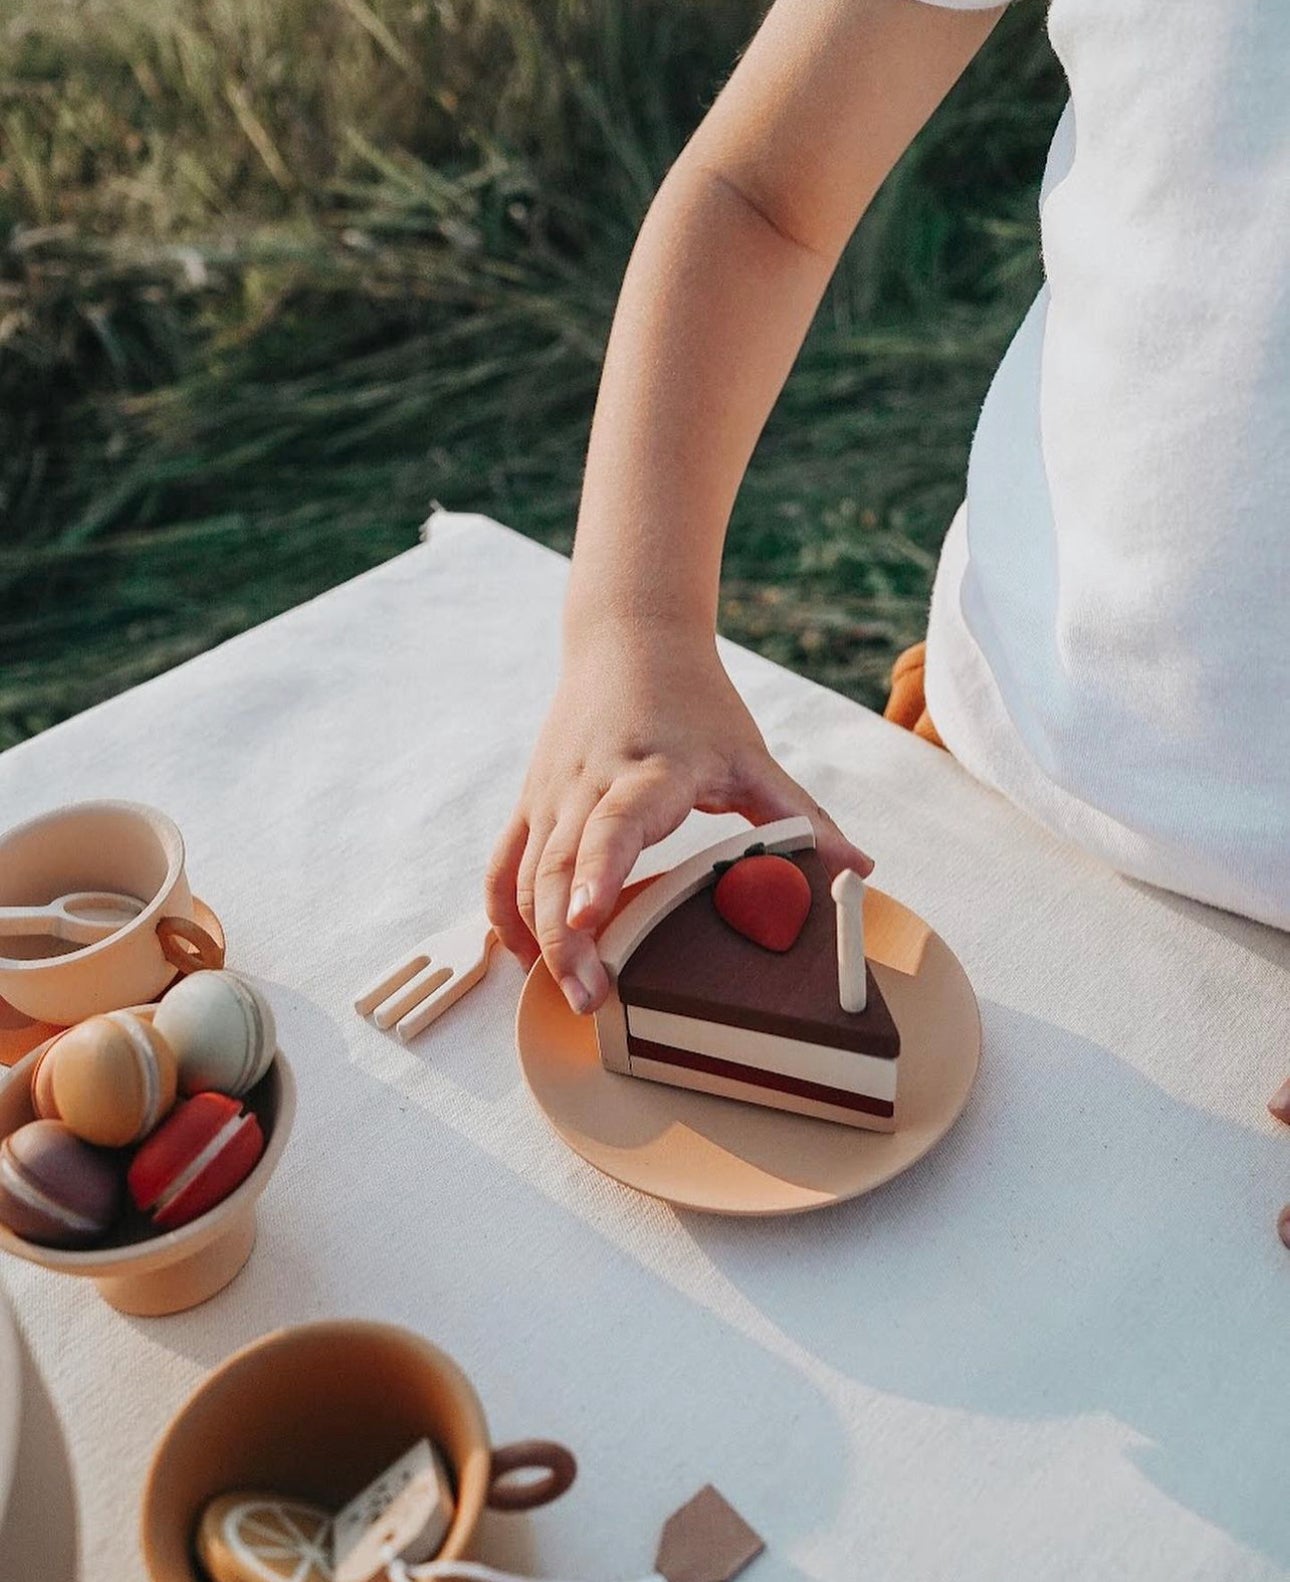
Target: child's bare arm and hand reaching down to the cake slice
{"type": "Point", "coordinates": [724, 281]}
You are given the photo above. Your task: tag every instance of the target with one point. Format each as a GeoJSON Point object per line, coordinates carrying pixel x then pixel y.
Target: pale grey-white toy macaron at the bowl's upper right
{"type": "Point", "coordinates": [222, 1032]}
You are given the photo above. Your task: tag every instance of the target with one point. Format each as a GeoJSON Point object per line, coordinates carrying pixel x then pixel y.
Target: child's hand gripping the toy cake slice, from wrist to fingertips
{"type": "Point", "coordinates": [645, 727]}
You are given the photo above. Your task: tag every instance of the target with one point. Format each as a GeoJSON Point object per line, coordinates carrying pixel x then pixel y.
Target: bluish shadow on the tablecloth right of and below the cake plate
{"type": "Point", "coordinates": [1117, 1258]}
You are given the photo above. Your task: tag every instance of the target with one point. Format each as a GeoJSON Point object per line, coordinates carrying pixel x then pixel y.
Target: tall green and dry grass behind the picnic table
{"type": "Point", "coordinates": [279, 274]}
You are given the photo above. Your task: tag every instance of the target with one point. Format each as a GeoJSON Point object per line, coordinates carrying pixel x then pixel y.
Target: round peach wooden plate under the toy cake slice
{"type": "Point", "coordinates": [723, 1157]}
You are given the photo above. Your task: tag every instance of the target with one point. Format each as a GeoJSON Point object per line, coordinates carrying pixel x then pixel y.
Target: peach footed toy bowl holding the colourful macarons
{"type": "Point", "coordinates": [137, 1270]}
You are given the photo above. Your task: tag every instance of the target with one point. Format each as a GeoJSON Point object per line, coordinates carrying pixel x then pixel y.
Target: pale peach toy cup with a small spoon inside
{"type": "Point", "coordinates": [99, 846]}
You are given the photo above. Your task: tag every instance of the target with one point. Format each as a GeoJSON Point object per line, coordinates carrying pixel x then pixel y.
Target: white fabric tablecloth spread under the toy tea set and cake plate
{"type": "Point", "coordinates": [1057, 1349]}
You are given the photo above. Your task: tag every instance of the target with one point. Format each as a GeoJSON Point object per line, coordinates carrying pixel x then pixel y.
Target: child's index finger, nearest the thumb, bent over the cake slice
{"type": "Point", "coordinates": [632, 816]}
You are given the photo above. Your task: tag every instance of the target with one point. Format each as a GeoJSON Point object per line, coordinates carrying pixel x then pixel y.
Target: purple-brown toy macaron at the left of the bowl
{"type": "Point", "coordinates": [55, 1189]}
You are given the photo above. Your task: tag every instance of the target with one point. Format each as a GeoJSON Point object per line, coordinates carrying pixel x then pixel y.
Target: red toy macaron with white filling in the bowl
{"type": "Point", "coordinates": [202, 1151]}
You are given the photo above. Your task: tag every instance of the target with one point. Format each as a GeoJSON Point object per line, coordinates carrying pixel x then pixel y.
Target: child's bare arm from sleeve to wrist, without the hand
{"type": "Point", "coordinates": [727, 273]}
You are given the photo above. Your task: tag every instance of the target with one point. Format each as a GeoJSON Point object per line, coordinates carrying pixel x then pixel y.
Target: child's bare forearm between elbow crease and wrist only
{"type": "Point", "coordinates": [713, 312]}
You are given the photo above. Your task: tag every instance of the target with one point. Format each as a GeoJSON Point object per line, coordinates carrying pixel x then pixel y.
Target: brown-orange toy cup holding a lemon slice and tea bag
{"type": "Point", "coordinates": [317, 1412]}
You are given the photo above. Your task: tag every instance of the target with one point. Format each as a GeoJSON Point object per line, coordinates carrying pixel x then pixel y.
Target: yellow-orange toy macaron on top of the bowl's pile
{"type": "Point", "coordinates": [112, 1080]}
